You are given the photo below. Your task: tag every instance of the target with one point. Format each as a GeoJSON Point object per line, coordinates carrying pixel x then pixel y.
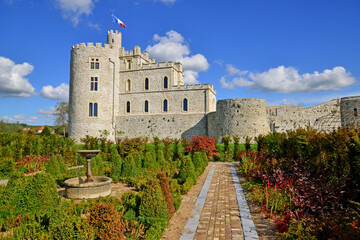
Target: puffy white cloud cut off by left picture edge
{"type": "Point", "coordinates": [12, 81]}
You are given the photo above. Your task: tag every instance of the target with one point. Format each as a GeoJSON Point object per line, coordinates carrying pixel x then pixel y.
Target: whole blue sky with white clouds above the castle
{"type": "Point", "coordinates": [299, 52]}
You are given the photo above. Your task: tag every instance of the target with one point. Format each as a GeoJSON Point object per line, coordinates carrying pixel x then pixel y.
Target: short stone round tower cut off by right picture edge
{"type": "Point", "coordinates": [350, 111]}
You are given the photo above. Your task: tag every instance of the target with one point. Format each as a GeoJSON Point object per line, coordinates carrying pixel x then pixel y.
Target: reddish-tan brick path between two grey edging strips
{"type": "Point", "coordinates": [220, 216]}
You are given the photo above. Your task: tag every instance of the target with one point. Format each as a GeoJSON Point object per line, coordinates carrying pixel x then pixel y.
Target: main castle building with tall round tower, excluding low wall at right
{"type": "Point", "coordinates": [128, 93]}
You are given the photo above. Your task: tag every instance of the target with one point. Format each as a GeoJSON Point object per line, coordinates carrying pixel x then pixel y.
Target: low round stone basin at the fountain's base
{"type": "Point", "coordinates": [76, 188]}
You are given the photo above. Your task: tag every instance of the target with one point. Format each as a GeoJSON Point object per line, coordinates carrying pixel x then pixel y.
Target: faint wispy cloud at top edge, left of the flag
{"type": "Point", "coordinates": [74, 9]}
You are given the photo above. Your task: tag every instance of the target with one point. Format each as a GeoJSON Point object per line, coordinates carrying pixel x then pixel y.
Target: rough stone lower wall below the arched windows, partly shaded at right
{"type": "Point", "coordinates": [162, 125]}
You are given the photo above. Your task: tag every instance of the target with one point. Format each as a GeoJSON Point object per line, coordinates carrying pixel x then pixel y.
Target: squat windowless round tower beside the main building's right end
{"type": "Point", "coordinates": [241, 117]}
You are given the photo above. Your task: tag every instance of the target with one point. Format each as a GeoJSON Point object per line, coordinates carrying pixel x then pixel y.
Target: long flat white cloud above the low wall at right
{"type": "Point", "coordinates": [288, 80]}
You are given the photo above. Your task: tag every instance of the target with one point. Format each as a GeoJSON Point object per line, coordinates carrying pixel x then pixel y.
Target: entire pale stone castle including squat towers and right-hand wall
{"type": "Point", "coordinates": [128, 94]}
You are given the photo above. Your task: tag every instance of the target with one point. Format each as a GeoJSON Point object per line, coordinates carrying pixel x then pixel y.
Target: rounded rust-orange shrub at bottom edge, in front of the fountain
{"type": "Point", "coordinates": [106, 220]}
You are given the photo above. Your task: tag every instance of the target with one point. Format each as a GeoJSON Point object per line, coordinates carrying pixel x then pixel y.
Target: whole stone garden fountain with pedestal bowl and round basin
{"type": "Point", "coordinates": [89, 186]}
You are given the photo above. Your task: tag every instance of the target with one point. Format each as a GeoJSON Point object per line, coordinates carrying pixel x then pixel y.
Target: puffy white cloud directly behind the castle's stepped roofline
{"type": "Point", "coordinates": [172, 47]}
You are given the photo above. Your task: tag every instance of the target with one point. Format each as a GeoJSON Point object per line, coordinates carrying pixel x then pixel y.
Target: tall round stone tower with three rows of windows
{"type": "Point", "coordinates": [91, 96]}
